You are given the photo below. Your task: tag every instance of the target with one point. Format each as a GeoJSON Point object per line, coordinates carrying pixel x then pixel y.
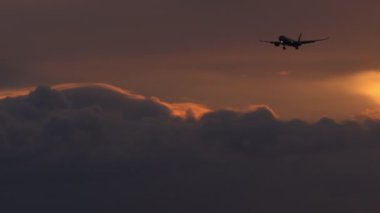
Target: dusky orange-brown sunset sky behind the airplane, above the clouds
{"type": "Point", "coordinates": [205, 52]}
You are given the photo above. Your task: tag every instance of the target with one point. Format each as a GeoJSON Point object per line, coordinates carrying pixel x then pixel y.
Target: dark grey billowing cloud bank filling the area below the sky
{"type": "Point", "coordinates": [91, 149]}
